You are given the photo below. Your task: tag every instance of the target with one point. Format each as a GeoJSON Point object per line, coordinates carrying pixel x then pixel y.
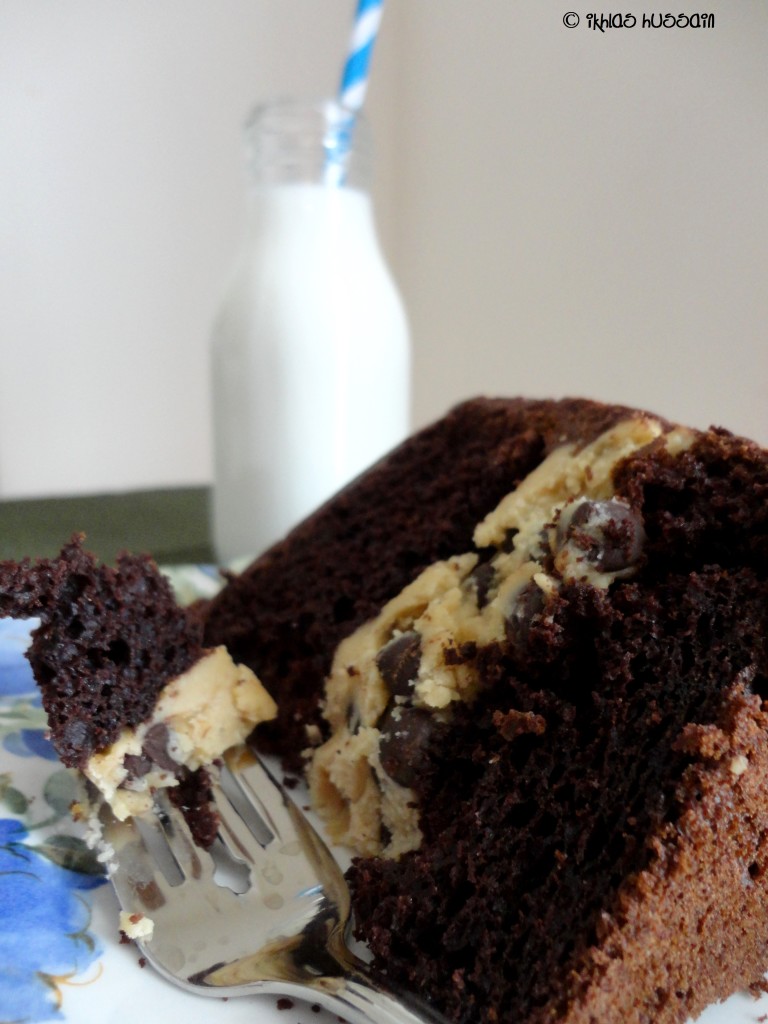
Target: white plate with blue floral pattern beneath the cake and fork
{"type": "Point", "coordinates": [61, 955]}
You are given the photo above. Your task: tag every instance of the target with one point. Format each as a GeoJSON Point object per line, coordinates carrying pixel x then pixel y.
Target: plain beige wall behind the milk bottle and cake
{"type": "Point", "coordinates": [568, 211]}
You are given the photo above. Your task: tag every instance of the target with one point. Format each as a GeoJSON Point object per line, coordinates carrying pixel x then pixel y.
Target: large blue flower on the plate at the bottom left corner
{"type": "Point", "coordinates": [45, 919]}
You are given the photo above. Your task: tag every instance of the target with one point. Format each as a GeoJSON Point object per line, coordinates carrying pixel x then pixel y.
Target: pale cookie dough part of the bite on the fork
{"type": "Point", "coordinates": [202, 713]}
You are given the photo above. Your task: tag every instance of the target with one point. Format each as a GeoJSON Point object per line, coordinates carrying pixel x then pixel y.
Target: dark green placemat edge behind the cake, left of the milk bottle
{"type": "Point", "coordinates": [173, 526]}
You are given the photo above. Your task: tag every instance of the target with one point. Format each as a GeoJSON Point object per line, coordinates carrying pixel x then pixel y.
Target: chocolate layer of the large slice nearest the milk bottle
{"type": "Point", "coordinates": [285, 616]}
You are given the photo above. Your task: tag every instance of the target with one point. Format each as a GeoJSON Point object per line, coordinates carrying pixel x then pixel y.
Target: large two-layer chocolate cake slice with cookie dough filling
{"type": "Point", "coordinates": [539, 635]}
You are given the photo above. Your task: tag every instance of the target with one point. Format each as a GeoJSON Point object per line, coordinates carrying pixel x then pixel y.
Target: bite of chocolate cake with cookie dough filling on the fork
{"type": "Point", "coordinates": [134, 699]}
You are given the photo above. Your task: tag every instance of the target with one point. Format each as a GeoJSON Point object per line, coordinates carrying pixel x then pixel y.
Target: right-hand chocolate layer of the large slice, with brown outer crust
{"type": "Point", "coordinates": [610, 864]}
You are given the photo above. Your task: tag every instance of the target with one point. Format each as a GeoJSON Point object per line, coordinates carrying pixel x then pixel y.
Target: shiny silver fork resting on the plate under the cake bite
{"type": "Point", "coordinates": [266, 912]}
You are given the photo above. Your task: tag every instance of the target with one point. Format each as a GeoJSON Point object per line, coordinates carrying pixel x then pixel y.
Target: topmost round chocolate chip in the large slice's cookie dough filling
{"type": "Point", "coordinates": [609, 533]}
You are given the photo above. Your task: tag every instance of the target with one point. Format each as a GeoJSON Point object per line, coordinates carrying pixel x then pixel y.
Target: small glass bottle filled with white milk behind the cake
{"type": "Point", "coordinates": [311, 356]}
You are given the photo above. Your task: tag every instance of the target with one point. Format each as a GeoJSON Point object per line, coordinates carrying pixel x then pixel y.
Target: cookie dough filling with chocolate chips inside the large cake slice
{"type": "Point", "coordinates": [395, 681]}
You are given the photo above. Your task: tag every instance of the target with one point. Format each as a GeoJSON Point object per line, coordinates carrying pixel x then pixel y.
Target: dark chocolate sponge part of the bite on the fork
{"type": "Point", "coordinates": [109, 639]}
